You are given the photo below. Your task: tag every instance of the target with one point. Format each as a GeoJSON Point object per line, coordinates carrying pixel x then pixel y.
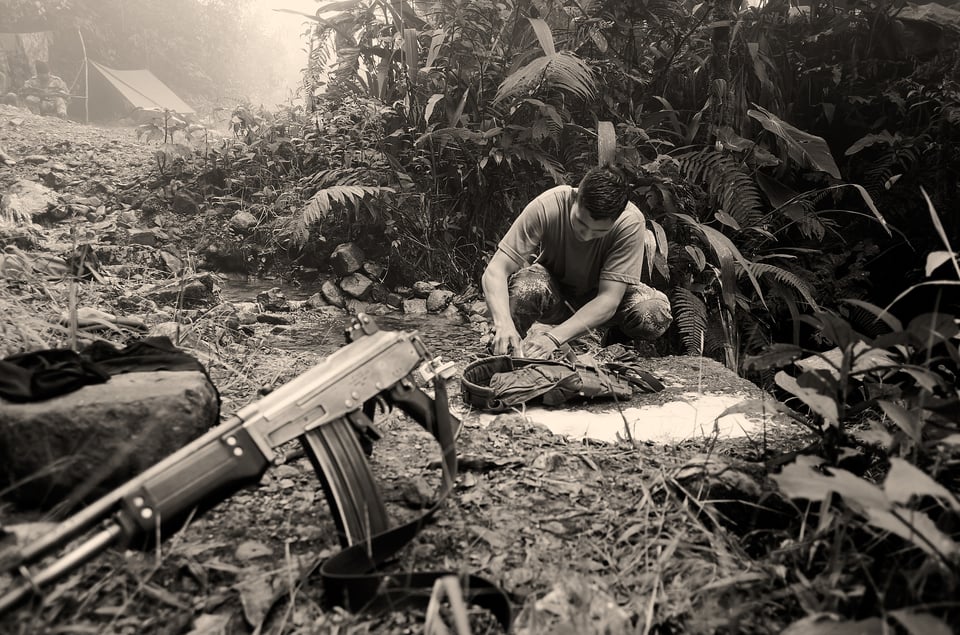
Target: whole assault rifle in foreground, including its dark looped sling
{"type": "Point", "coordinates": [328, 408]}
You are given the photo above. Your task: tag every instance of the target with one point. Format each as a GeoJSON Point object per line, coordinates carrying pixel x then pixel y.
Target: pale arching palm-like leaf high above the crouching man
{"type": "Point", "coordinates": [561, 70]}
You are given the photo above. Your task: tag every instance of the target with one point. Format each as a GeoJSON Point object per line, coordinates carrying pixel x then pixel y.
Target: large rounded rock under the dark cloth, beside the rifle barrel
{"type": "Point", "coordinates": [100, 435]}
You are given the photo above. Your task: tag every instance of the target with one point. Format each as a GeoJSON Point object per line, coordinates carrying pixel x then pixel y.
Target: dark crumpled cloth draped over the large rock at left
{"type": "Point", "coordinates": [40, 375]}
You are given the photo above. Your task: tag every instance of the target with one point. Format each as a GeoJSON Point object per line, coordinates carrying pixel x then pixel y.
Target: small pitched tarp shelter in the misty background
{"type": "Point", "coordinates": [114, 94]}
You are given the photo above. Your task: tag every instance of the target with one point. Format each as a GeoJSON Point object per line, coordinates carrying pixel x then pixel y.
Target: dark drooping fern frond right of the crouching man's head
{"type": "Point", "coordinates": [732, 188]}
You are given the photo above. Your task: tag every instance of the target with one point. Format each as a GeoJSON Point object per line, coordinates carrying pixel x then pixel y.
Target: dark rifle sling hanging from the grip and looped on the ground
{"type": "Point", "coordinates": [350, 577]}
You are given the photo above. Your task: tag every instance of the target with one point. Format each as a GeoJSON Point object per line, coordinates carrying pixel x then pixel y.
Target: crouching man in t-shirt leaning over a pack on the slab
{"type": "Point", "coordinates": [573, 259]}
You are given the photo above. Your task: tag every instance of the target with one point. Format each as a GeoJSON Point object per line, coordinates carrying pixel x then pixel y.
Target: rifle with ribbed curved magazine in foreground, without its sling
{"type": "Point", "coordinates": [322, 407]}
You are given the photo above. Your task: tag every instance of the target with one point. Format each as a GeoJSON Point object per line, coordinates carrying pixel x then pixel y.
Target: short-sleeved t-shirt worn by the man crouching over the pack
{"type": "Point", "coordinates": [543, 232]}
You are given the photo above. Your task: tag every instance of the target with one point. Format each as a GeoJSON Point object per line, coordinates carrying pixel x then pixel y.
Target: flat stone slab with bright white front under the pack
{"type": "Point", "coordinates": [697, 392]}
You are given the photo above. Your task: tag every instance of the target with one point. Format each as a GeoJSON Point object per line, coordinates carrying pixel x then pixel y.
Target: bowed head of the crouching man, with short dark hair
{"type": "Point", "coordinates": [602, 196]}
